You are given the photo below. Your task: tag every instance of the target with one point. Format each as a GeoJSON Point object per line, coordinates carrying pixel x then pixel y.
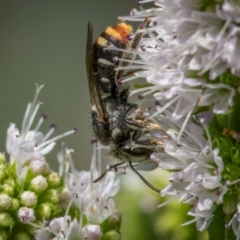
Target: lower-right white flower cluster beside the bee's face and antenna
{"type": "Point", "coordinates": [197, 178]}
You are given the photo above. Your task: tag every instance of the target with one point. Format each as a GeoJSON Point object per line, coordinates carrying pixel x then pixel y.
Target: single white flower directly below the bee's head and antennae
{"type": "Point", "coordinates": [94, 199]}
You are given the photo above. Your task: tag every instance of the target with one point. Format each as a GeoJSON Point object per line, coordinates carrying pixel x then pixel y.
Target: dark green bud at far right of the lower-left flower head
{"type": "Point", "coordinates": [113, 222]}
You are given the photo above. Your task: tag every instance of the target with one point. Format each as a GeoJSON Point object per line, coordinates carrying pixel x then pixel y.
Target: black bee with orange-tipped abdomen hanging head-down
{"type": "Point", "coordinates": [116, 122]}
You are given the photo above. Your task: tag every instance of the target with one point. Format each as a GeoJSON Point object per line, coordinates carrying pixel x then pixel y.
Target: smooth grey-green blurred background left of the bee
{"type": "Point", "coordinates": [43, 41]}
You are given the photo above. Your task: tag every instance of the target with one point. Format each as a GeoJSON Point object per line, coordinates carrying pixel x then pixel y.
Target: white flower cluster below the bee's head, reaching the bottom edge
{"type": "Point", "coordinates": [92, 200]}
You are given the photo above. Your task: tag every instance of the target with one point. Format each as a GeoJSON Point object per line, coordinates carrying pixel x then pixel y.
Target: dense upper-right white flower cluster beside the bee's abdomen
{"type": "Point", "coordinates": [183, 43]}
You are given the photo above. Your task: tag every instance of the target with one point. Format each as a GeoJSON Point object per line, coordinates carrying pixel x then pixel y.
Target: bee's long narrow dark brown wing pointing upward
{"type": "Point", "coordinates": [94, 91]}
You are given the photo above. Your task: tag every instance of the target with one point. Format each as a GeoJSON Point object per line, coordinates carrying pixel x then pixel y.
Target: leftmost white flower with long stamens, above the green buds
{"type": "Point", "coordinates": [29, 145]}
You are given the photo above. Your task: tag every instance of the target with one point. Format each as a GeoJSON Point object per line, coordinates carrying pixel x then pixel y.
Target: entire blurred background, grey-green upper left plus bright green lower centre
{"type": "Point", "coordinates": [43, 41]}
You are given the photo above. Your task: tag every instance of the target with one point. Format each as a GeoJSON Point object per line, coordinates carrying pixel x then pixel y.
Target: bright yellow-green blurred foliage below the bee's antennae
{"type": "Point", "coordinates": [142, 219]}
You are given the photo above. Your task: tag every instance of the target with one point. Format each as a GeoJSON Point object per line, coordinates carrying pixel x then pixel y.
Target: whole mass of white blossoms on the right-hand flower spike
{"type": "Point", "coordinates": [186, 51]}
